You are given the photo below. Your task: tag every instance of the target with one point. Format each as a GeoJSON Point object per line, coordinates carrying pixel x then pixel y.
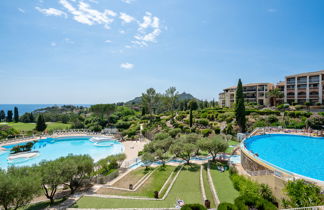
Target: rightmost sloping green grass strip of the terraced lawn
{"type": "Point", "coordinates": [224, 186]}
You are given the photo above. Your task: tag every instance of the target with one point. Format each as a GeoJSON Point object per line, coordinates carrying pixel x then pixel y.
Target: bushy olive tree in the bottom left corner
{"type": "Point", "coordinates": [18, 186]}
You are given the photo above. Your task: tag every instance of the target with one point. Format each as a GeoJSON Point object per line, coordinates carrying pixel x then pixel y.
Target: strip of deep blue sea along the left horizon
{"type": "Point", "coordinates": [23, 108]}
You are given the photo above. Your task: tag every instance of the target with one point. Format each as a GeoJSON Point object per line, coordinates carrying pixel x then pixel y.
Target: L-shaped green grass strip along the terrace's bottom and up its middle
{"type": "Point", "coordinates": [186, 188]}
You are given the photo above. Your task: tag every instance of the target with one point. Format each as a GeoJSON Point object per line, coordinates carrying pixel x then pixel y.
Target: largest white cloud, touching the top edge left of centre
{"type": "Point", "coordinates": [86, 15]}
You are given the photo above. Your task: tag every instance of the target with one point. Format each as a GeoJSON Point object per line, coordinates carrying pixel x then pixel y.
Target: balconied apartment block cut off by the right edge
{"type": "Point", "coordinates": [304, 87]}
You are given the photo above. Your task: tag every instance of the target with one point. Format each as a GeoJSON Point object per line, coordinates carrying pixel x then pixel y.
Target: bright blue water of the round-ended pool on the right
{"type": "Point", "coordinates": [298, 154]}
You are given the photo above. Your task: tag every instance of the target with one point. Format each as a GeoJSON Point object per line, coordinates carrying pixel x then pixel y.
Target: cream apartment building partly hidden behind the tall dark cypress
{"type": "Point", "coordinates": [253, 93]}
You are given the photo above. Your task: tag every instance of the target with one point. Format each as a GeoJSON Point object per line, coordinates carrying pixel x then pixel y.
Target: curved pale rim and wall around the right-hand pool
{"type": "Point", "coordinates": [276, 170]}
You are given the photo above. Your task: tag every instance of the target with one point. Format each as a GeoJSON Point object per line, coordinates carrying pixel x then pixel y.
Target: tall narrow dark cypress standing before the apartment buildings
{"type": "Point", "coordinates": [240, 107]}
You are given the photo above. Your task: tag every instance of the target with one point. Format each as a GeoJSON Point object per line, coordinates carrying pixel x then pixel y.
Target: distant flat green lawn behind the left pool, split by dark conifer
{"type": "Point", "coordinates": [31, 126]}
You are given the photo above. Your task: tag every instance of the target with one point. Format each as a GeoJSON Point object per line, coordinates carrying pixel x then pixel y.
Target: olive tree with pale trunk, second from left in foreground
{"type": "Point", "coordinates": [52, 176]}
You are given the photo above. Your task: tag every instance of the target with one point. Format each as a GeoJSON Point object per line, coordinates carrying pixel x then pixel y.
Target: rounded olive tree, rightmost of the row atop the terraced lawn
{"type": "Point", "coordinates": [213, 145]}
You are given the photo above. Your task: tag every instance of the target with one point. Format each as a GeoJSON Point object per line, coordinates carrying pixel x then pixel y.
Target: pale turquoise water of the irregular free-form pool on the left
{"type": "Point", "coordinates": [53, 148]}
